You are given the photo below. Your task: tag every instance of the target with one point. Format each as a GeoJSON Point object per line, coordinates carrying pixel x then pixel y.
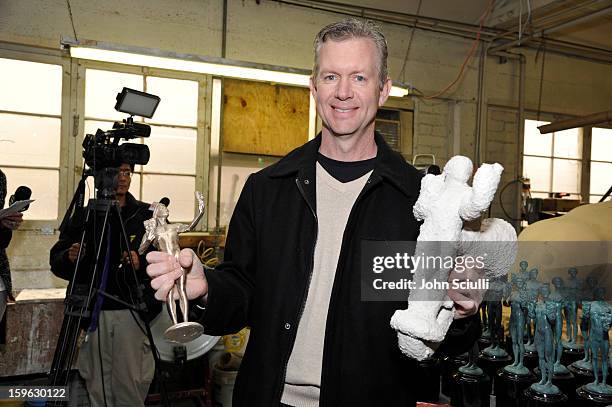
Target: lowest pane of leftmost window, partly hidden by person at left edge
{"type": "Point", "coordinates": [45, 189]}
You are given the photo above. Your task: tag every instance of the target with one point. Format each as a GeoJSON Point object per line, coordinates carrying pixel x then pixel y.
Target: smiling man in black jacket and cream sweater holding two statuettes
{"type": "Point", "coordinates": [291, 269]}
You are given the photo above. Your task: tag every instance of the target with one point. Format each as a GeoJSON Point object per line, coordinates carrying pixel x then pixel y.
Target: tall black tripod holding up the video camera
{"type": "Point", "coordinates": [87, 286]}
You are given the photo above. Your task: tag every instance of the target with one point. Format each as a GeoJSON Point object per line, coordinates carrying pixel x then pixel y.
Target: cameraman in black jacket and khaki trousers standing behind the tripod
{"type": "Point", "coordinates": [116, 360]}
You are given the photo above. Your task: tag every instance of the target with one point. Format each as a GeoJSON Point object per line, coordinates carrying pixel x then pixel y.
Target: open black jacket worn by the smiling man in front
{"type": "Point", "coordinates": [265, 276]}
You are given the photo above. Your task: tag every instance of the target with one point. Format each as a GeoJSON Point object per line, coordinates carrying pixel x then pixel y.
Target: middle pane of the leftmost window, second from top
{"type": "Point", "coordinates": [29, 140]}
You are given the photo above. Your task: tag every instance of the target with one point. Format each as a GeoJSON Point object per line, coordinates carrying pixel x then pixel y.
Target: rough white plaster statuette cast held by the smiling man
{"type": "Point", "coordinates": [444, 203]}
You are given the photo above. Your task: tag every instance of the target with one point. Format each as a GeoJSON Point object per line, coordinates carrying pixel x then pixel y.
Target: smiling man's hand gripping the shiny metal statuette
{"type": "Point", "coordinates": [164, 270]}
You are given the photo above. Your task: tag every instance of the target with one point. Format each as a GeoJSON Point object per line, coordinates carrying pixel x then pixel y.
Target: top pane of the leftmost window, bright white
{"type": "Point", "coordinates": [30, 87]}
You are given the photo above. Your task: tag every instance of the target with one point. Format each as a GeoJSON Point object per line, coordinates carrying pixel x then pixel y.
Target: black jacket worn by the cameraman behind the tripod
{"type": "Point", "coordinates": [120, 281]}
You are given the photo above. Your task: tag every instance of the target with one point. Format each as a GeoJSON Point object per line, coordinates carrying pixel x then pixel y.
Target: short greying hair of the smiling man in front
{"type": "Point", "coordinates": [349, 29]}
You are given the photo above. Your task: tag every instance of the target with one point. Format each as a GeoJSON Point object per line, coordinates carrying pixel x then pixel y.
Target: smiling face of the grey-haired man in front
{"type": "Point", "coordinates": [347, 87]}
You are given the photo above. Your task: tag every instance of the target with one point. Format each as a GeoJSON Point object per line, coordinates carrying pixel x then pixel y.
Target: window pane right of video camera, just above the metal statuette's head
{"type": "Point", "coordinates": [179, 189]}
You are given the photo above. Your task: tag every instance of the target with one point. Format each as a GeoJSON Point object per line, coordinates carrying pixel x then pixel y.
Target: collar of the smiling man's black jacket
{"type": "Point", "coordinates": [390, 165]}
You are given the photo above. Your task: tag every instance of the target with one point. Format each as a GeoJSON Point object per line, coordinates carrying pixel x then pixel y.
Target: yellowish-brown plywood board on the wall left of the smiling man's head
{"type": "Point", "coordinates": [260, 118]}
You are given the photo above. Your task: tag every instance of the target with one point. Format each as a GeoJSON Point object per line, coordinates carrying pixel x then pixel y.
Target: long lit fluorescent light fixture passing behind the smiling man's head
{"type": "Point", "coordinates": [222, 67]}
